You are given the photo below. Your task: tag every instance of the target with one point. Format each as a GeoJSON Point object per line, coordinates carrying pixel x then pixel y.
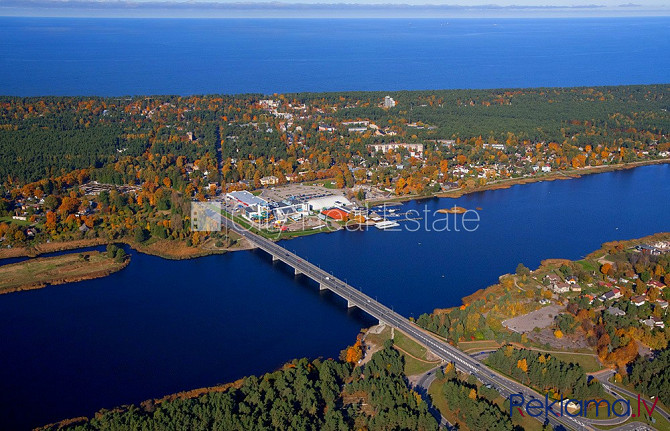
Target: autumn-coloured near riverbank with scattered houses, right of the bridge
{"type": "Point", "coordinates": [524, 307]}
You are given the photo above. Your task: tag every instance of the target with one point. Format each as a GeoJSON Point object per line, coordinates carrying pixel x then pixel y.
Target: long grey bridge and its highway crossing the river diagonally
{"type": "Point", "coordinates": [436, 345]}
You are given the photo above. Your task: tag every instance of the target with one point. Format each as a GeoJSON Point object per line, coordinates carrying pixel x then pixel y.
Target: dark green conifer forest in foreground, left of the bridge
{"type": "Point", "coordinates": [304, 395]}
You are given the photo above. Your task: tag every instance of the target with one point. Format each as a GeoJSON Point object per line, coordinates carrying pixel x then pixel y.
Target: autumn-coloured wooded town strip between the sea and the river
{"type": "Point", "coordinates": [169, 150]}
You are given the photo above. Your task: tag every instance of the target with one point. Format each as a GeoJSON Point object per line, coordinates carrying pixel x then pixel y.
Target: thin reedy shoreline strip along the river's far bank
{"type": "Point", "coordinates": [192, 253]}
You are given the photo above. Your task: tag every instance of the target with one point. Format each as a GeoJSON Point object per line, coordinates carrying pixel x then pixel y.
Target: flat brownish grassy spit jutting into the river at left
{"type": "Point", "coordinates": [49, 271]}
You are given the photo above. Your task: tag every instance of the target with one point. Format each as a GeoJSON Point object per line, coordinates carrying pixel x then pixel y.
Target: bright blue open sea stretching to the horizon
{"type": "Point", "coordinates": [113, 57]}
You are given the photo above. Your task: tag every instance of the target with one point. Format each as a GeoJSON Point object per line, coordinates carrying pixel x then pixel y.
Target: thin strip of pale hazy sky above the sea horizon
{"type": "Point", "coordinates": [335, 8]}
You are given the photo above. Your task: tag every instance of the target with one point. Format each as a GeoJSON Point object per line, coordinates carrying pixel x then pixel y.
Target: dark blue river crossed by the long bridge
{"type": "Point", "coordinates": [162, 326]}
